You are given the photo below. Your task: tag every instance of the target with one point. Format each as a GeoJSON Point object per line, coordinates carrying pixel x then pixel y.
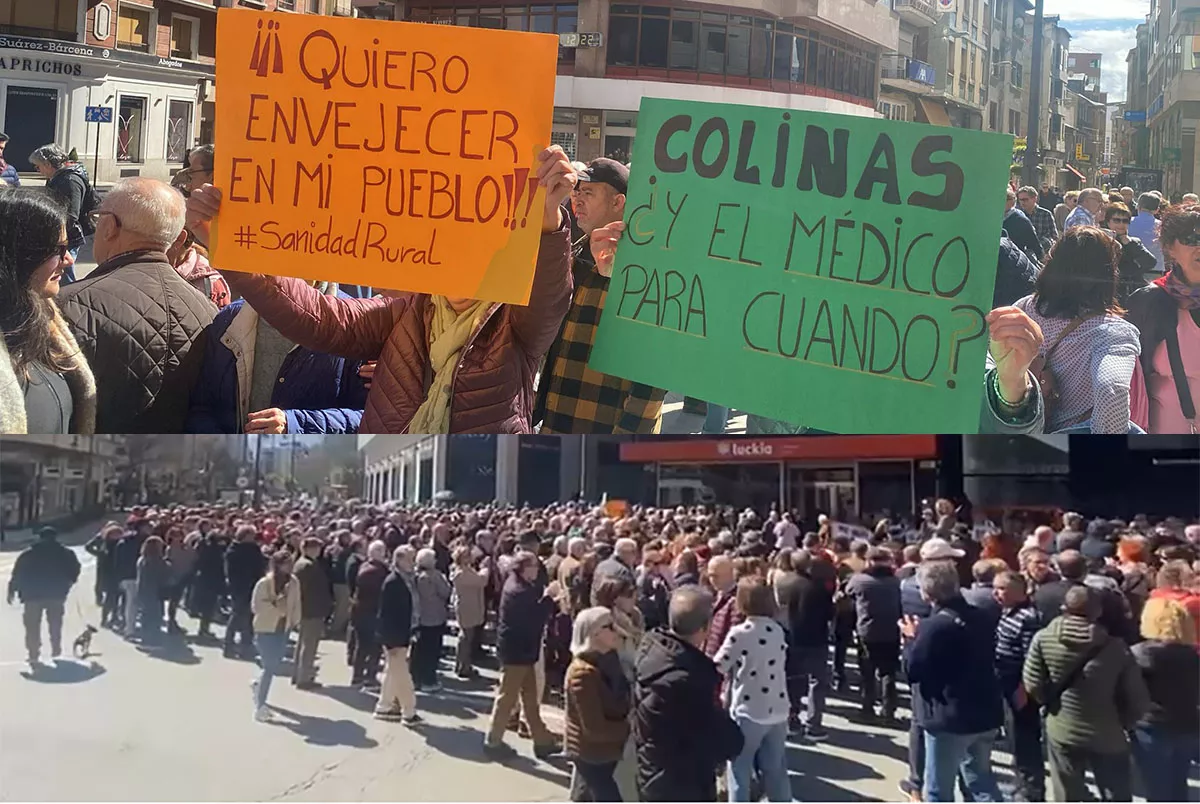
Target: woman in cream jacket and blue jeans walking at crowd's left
{"type": "Point", "coordinates": [275, 603]}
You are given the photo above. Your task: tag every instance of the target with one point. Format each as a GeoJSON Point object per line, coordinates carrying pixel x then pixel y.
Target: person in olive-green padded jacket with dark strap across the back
{"type": "Point", "coordinates": [1094, 693]}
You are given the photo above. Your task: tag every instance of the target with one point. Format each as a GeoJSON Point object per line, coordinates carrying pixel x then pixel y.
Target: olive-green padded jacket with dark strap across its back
{"type": "Point", "coordinates": [1108, 698]}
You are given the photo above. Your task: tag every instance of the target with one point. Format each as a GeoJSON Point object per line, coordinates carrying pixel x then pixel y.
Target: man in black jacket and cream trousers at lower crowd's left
{"type": "Point", "coordinates": [397, 625]}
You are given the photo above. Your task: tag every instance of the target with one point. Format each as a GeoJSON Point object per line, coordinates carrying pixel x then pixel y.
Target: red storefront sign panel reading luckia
{"type": "Point", "coordinates": [747, 449]}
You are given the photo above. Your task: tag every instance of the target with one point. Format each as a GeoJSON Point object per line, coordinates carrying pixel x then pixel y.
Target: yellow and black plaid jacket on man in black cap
{"type": "Point", "coordinates": [572, 398]}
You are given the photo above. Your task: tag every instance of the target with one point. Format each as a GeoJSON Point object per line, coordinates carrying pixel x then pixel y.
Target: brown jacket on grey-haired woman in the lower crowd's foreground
{"type": "Point", "coordinates": [598, 703]}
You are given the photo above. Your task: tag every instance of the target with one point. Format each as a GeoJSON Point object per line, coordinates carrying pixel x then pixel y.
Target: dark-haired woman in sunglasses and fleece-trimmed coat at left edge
{"type": "Point", "coordinates": [58, 387]}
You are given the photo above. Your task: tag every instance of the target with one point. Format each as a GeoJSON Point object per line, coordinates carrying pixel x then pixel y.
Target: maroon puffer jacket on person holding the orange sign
{"type": "Point", "coordinates": [494, 386]}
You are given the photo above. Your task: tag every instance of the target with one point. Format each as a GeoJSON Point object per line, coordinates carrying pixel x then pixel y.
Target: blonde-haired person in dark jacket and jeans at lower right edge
{"type": "Point", "coordinates": [1165, 741]}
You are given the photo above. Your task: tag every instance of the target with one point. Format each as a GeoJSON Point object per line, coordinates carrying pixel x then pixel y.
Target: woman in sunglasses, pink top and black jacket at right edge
{"type": "Point", "coordinates": [1168, 316]}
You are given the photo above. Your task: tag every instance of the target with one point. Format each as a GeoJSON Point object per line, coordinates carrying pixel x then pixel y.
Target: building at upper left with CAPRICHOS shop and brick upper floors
{"type": "Point", "coordinates": [149, 62]}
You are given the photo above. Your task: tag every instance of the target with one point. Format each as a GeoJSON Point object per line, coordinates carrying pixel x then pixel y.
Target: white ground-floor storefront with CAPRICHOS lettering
{"type": "Point", "coordinates": [158, 104]}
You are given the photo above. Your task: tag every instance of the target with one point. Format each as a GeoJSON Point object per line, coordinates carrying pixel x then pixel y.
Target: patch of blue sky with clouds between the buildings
{"type": "Point", "coordinates": [1103, 27]}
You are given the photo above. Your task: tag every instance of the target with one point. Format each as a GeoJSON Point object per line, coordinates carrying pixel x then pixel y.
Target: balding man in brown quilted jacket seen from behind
{"type": "Point", "coordinates": [140, 325]}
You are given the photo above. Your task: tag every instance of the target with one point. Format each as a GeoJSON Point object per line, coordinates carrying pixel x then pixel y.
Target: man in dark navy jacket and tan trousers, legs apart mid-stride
{"type": "Point", "coordinates": [524, 611]}
